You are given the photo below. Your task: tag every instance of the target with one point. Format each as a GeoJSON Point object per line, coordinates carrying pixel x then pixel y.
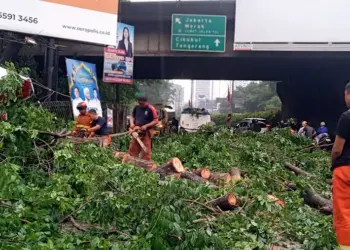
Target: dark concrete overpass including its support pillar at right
{"type": "Point", "coordinates": [311, 84]}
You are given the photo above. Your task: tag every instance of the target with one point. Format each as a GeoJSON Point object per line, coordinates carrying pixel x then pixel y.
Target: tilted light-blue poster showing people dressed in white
{"type": "Point", "coordinates": [83, 85]}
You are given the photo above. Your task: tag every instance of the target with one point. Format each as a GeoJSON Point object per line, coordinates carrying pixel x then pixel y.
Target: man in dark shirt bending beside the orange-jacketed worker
{"type": "Point", "coordinates": [99, 128]}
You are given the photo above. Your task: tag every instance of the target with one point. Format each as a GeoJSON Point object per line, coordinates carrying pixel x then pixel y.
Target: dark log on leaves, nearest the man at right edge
{"type": "Point", "coordinates": [317, 201]}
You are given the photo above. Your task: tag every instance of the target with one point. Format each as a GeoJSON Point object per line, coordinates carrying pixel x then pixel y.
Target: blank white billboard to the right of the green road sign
{"type": "Point", "coordinates": [312, 25]}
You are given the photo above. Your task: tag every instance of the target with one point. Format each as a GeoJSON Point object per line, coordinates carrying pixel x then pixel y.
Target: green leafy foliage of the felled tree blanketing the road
{"type": "Point", "coordinates": [57, 196]}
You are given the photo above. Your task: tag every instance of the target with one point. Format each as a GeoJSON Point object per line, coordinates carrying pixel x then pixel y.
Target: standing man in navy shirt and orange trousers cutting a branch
{"type": "Point", "coordinates": [143, 118]}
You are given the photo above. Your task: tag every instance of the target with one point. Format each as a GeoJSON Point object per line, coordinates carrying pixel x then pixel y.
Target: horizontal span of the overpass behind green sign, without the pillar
{"type": "Point", "coordinates": [154, 58]}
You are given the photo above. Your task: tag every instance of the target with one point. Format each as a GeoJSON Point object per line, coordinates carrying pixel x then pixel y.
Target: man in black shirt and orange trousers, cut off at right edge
{"type": "Point", "coordinates": [341, 177]}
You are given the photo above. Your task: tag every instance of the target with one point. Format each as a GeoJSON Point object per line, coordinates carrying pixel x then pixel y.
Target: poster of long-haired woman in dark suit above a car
{"type": "Point", "coordinates": [119, 61]}
